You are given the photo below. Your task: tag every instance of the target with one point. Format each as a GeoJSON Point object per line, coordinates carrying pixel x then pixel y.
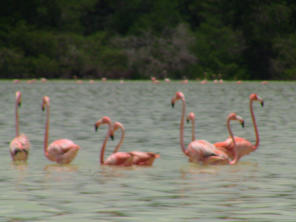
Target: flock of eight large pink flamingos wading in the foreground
{"type": "Point", "coordinates": [64, 151]}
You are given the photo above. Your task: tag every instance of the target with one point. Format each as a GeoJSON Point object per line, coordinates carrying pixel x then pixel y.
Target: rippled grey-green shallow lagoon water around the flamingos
{"type": "Point", "coordinates": [261, 187]}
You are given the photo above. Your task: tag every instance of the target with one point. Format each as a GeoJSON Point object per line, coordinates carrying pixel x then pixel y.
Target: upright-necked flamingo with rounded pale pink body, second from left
{"type": "Point", "coordinates": [62, 151]}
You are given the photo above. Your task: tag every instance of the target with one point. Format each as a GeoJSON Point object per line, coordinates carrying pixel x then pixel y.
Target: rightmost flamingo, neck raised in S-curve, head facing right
{"type": "Point", "coordinates": [244, 147]}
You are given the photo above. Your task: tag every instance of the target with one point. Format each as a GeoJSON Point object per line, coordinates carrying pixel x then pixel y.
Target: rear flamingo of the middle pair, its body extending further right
{"type": "Point", "coordinates": [139, 157]}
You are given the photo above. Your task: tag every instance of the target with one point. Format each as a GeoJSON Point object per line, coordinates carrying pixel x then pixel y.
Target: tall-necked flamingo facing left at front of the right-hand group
{"type": "Point", "coordinates": [200, 151]}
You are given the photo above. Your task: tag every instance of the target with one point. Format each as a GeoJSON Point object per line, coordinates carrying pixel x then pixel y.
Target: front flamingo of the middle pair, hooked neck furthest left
{"type": "Point", "coordinates": [117, 159]}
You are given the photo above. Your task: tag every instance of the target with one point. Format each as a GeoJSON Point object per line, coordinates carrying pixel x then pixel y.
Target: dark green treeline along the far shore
{"type": "Point", "coordinates": [231, 39]}
